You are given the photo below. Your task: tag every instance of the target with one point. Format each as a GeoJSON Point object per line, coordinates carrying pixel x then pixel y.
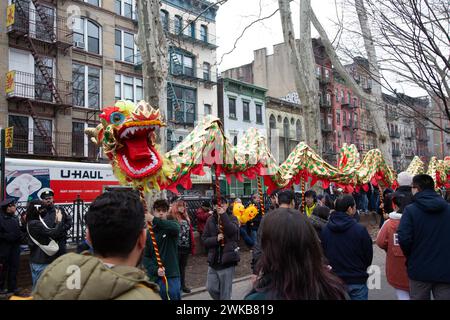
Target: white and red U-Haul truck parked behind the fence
{"type": "Point", "coordinates": [27, 179]}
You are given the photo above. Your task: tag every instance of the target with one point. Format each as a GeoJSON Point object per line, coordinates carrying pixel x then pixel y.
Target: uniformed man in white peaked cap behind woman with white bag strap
{"type": "Point", "coordinates": [50, 218]}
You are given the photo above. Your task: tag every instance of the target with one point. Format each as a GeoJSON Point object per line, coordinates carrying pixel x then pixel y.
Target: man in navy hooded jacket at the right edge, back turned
{"type": "Point", "coordinates": [424, 236]}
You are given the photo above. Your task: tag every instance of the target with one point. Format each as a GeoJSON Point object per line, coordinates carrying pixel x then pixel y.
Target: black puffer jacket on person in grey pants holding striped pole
{"type": "Point", "coordinates": [222, 257]}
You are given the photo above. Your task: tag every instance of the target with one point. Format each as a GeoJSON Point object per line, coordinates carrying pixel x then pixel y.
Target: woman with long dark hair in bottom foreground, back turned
{"type": "Point", "coordinates": [292, 266]}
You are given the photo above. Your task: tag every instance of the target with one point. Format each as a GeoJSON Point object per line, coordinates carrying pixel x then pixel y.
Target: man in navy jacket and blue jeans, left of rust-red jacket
{"type": "Point", "coordinates": [348, 247]}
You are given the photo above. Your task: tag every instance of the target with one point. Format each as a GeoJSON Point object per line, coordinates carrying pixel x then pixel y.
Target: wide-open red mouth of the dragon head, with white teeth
{"type": "Point", "coordinates": [138, 156]}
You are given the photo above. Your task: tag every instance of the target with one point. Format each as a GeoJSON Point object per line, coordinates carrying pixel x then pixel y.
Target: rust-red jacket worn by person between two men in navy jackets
{"type": "Point", "coordinates": [387, 240]}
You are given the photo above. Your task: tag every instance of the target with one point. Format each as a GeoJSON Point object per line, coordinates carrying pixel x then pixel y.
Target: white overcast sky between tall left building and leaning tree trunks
{"type": "Point", "coordinates": [235, 15]}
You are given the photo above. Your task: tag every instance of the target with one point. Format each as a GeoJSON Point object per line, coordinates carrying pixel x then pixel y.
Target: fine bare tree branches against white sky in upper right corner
{"type": "Point", "coordinates": [414, 38]}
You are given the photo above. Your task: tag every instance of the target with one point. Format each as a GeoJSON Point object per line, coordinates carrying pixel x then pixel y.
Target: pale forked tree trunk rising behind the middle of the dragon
{"type": "Point", "coordinates": [303, 65]}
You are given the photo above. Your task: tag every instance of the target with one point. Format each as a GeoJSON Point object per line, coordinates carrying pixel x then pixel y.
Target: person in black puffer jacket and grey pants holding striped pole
{"type": "Point", "coordinates": [221, 236]}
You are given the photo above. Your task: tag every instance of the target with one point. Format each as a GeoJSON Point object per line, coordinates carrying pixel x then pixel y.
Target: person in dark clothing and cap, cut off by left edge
{"type": "Point", "coordinates": [11, 236]}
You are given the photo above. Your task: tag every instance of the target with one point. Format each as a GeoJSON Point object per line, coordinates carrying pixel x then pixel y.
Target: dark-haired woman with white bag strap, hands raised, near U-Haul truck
{"type": "Point", "coordinates": [39, 231]}
